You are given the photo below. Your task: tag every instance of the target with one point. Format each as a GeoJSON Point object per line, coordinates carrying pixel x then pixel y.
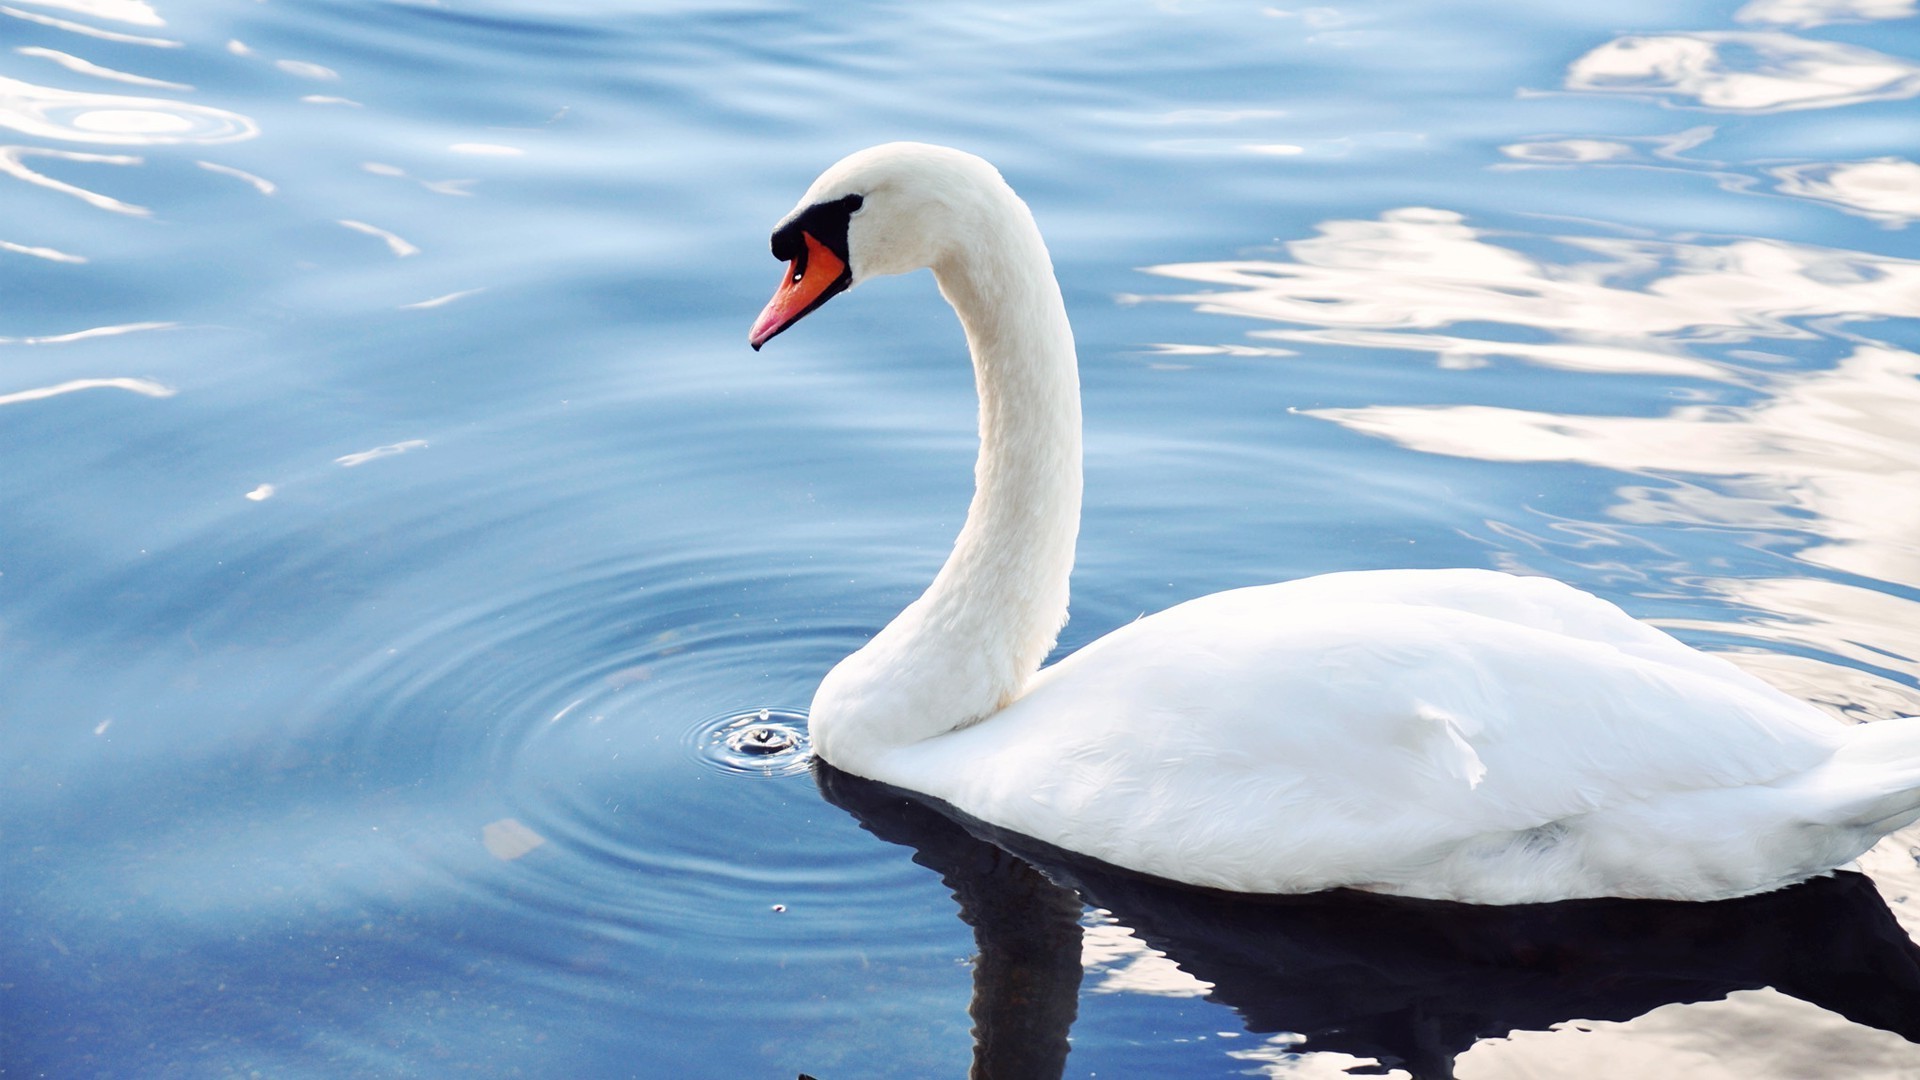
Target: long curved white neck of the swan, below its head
{"type": "Point", "coordinates": [976, 637]}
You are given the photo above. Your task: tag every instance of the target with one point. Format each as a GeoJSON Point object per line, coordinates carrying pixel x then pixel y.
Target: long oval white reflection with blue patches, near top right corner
{"type": "Point", "coordinates": [1750, 72]}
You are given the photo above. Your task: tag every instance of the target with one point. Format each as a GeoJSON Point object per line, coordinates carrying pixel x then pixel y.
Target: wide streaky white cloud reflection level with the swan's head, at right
{"type": "Point", "coordinates": [1633, 310]}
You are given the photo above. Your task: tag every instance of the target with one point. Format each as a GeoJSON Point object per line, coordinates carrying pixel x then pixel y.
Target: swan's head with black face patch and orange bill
{"type": "Point", "coordinates": [884, 210]}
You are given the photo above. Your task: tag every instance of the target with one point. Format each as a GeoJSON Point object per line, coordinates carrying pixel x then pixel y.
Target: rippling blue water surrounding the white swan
{"type": "Point", "coordinates": [396, 524]}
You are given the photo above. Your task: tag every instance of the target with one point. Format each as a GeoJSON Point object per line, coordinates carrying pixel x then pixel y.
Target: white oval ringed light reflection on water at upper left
{"type": "Point", "coordinates": [74, 116]}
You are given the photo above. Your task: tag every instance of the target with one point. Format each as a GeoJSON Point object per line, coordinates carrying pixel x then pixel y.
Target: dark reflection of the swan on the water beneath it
{"type": "Point", "coordinates": [1406, 983]}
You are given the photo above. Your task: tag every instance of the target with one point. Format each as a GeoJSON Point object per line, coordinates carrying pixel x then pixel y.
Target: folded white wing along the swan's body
{"type": "Point", "coordinates": [1360, 725]}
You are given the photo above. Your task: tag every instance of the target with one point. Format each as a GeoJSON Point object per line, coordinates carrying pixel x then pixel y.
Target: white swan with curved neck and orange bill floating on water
{"type": "Point", "coordinates": [1452, 735]}
